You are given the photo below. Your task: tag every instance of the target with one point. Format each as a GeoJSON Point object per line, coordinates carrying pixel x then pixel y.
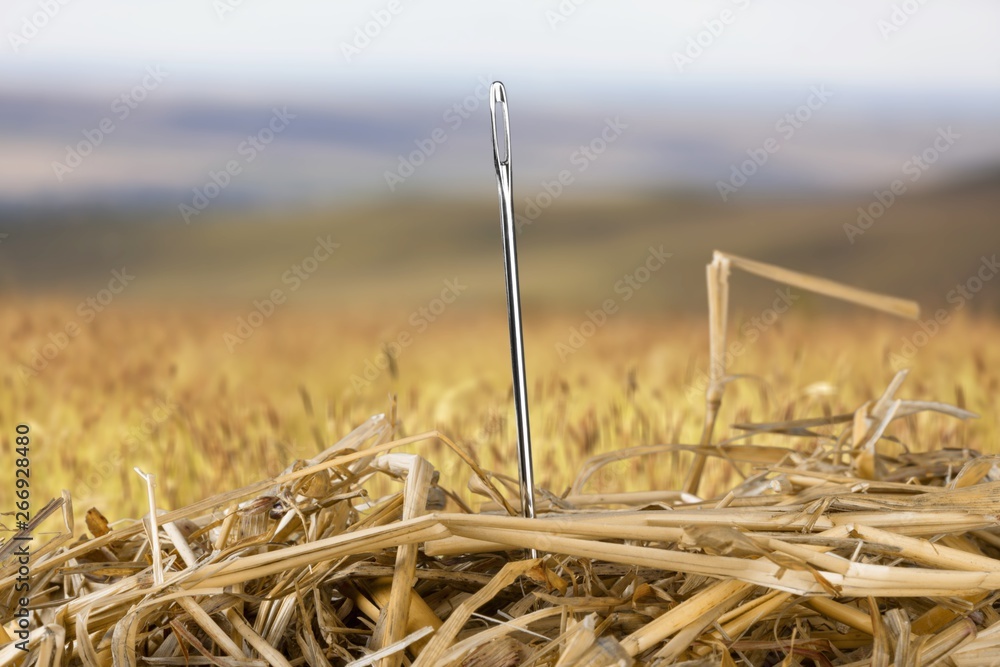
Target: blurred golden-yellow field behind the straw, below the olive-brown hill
{"type": "Point", "coordinates": [156, 387]}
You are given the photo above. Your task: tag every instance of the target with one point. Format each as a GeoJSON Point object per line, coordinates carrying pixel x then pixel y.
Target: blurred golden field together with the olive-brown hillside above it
{"type": "Point", "coordinates": [161, 378]}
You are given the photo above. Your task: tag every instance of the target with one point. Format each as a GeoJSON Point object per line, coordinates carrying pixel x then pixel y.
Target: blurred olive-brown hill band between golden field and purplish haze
{"type": "Point", "coordinates": [397, 253]}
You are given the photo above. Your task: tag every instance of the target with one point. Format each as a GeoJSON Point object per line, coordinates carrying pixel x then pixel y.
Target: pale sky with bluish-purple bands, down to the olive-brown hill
{"type": "Point", "coordinates": [698, 85]}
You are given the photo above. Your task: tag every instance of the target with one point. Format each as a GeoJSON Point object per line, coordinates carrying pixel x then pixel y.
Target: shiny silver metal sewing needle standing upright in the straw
{"type": "Point", "coordinates": [501, 160]}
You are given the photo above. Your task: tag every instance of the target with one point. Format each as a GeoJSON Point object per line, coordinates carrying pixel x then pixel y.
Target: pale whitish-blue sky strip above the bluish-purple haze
{"type": "Point", "coordinates": [298, 43]}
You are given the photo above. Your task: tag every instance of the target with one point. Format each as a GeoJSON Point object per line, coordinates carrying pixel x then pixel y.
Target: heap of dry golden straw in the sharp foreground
{"type": "Point", "coordinates": [831, 551]}
